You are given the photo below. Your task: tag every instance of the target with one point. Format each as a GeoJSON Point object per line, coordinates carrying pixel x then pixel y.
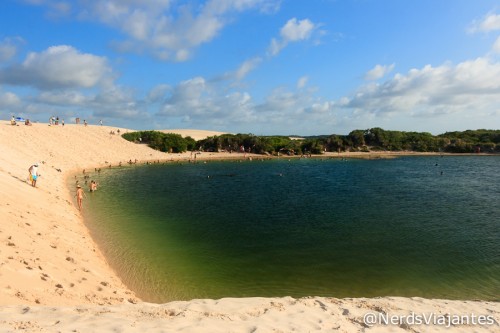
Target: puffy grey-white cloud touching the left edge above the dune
{"type": "Point", "coordinates": [57, 67]}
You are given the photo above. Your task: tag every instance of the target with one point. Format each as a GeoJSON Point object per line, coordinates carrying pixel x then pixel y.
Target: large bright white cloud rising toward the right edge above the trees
{"type": "Point", "coordinates": [472, 86]}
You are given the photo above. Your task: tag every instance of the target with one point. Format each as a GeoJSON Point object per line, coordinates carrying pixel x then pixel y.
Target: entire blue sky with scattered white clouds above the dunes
{"type": "Point", "coordinates": [266, 67]}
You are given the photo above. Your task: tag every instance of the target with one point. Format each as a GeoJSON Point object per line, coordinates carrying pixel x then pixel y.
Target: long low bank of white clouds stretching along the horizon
{"type": "Point", "coordinates": [468, 90]}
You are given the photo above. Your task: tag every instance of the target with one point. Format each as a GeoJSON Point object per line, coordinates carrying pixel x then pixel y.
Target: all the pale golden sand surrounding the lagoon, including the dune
{"type": "Point", "coordinates": [53, 277]}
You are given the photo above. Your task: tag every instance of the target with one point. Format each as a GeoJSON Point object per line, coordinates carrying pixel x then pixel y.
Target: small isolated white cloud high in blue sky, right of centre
{"type": "Point", "coordinates": [292, 31]}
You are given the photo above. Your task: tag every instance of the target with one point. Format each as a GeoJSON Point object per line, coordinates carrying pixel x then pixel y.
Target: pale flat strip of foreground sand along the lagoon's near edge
{"type": "Point", "coordinates": [248, 315]}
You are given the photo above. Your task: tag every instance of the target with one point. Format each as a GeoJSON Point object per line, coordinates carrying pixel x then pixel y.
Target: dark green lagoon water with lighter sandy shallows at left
{"type": "Point", "coordinates": [308, 227]}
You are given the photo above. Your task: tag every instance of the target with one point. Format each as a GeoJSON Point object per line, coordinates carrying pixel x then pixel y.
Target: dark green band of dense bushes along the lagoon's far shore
{"type": "Point", "coordinates": [374, 139]}
